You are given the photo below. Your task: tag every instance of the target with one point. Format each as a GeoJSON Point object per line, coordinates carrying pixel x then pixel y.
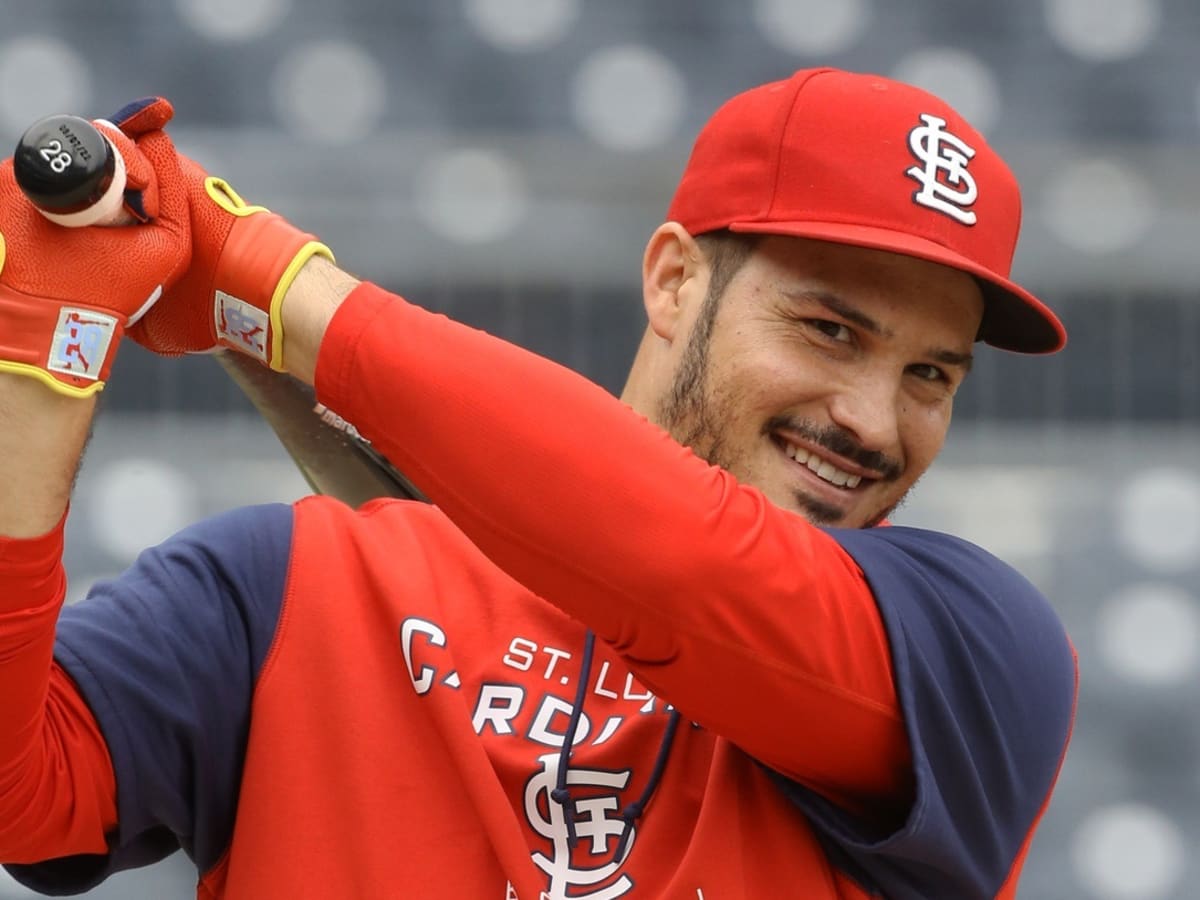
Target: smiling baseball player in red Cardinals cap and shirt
{"type": "Point", "coordinates": [658, 649]}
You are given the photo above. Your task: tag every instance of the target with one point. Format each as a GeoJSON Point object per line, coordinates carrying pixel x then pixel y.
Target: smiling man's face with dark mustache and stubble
{"type": "Point", "coordinates": [825, 375]}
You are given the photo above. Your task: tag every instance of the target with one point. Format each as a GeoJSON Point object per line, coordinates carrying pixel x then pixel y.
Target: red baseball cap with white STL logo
{"type": "Point", "coordinates": [872, 163]}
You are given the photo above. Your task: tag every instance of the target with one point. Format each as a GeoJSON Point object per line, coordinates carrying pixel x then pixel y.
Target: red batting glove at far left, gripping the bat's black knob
{"type": "Point", "coordinates": [69, 295]}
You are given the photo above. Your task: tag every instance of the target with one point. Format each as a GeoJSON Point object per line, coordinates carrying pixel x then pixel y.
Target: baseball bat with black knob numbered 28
{"type": "Point", "coordinates": [76, 178]}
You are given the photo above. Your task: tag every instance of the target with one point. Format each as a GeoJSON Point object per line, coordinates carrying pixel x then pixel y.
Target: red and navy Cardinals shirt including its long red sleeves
{"type": "Point", "coordinates": [316, 703]}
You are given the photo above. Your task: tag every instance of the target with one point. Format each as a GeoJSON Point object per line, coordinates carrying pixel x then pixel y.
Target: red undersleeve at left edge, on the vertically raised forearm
{"type": "Point", "coordinates": [57, 785]}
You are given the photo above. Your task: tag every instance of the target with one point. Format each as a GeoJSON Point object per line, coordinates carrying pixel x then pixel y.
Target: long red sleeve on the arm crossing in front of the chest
{"type": "Point", "coordinates": [746, 617]}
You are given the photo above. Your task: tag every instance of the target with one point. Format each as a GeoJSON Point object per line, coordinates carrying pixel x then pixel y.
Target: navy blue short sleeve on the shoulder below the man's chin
{"type": "Point", "coordinates": [986, 677]}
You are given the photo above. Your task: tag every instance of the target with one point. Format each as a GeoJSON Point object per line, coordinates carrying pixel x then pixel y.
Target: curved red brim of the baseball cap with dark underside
{"type": "Point", "coordinates": [1013, 319]}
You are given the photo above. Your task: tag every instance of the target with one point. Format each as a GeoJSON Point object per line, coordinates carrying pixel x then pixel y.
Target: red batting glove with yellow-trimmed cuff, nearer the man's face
{"type": "Point", "coordinates": [244, 260]}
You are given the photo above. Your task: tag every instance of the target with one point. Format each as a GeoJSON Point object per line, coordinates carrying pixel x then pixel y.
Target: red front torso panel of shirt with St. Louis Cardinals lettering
{"type": "Point", "coordinates": [382, 764]}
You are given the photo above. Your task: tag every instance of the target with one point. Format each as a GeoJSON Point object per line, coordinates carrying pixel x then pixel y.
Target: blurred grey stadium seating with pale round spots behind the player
{"type": "Point", "coordinates": [505, 161]}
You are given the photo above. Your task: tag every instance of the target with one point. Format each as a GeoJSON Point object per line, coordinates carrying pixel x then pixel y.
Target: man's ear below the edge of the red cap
{"type": "Point", "coordinates": [674, 274]}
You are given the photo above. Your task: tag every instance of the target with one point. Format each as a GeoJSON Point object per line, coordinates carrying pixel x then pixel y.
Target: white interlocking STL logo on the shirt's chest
{"type": "Point", "coordinates": [597, 826]}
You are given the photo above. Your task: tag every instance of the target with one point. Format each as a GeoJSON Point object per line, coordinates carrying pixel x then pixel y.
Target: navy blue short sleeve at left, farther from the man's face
{"type": "Point", "coordinates": [167, 657]}
